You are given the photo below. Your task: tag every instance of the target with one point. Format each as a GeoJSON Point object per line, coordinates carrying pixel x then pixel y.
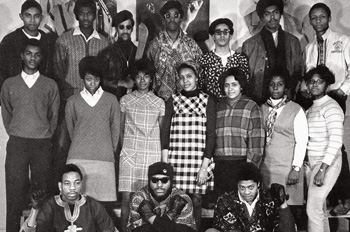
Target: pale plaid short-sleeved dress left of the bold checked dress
{"type": "Point", "coordinates": [141, 144]}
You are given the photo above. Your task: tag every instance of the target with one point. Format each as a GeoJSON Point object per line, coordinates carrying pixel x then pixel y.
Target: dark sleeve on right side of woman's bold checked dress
{"type": "Point", "coordinates": [210, 129]}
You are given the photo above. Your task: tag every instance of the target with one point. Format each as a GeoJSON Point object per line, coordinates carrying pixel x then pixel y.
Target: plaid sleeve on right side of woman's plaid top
{"type": "Point", "coordinates": [256, 136]}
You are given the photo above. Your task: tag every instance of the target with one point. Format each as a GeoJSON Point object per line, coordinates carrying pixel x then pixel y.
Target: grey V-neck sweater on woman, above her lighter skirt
{"type": "Point", "coordinates": [94, 131]}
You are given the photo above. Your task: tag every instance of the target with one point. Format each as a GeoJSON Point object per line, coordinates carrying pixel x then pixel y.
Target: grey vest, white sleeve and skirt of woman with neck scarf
{"type": "Point", "coordinates": [287, 149]}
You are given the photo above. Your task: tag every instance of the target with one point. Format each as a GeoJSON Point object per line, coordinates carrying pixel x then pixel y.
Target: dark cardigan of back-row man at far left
{"type": "Point", "coordinates": [11, 48]}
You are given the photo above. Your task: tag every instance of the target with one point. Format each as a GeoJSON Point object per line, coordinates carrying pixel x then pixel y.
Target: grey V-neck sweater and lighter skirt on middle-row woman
{"type": "Point", "coordinates": [94, 132]}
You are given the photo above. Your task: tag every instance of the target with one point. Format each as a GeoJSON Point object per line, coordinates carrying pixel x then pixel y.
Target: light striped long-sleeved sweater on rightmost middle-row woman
{"type": "Point", "coordinates": [325, 120]}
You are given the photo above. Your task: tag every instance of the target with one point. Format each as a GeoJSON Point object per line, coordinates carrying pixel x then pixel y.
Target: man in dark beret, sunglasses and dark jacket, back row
{"type": "Point", "coordinates": [120, 56]}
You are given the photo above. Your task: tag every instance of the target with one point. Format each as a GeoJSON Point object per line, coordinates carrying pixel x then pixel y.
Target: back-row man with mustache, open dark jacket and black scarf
{"type": "Point", "coordinates": [270, 49]}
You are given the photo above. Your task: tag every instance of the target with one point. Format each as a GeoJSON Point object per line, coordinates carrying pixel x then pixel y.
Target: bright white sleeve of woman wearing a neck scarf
{"type": "Point", "coordinates": [301, 133]}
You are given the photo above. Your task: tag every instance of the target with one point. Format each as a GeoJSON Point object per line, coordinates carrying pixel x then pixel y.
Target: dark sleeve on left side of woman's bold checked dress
{"type": "Point", "coordinates": [169, 111]}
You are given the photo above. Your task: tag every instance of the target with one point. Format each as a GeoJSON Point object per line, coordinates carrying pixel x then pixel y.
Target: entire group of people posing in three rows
{"type": "Point", "coordinates": [248, 127]}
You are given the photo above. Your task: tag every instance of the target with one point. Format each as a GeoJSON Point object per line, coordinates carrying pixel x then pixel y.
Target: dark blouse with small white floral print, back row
{"type": "Point", "coordinates": [213, 68]}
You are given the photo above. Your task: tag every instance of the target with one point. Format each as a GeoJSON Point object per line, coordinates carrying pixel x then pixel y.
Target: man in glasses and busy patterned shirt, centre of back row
{"type": "Point", "coordinates": [171, 48]}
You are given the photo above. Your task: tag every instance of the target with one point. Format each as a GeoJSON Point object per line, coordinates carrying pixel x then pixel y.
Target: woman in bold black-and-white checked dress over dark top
{"type": "Point", "coordinates": [189, 137]}
